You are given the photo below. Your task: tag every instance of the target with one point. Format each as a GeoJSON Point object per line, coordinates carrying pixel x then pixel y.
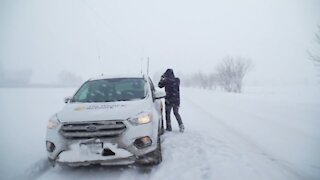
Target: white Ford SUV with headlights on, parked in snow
{"type": "Point", "coordinates": [108, 121]}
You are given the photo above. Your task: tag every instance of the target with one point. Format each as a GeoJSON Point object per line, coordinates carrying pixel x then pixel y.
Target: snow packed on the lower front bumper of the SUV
{"type": "Point", "coordinates": [95, 152]}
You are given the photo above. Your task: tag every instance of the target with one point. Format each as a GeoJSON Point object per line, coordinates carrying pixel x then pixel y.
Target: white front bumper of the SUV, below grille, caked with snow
{"type": "Point", "coordinates": [104, 151]}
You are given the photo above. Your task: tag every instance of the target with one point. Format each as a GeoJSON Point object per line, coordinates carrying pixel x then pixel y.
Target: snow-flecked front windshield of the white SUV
{"type": "Point", "coordinates": [109, 90]}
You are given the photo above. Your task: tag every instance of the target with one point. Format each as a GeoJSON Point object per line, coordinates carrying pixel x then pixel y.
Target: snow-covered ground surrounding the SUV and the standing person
{"type": "Point", "coordinates": [265, 133]}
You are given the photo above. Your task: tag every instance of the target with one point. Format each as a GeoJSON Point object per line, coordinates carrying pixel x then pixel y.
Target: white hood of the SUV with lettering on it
{"type": "Point", "coordinates": [74, 112]}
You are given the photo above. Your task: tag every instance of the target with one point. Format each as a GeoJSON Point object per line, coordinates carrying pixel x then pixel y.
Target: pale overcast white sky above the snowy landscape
{"type": "Point", "coordinates": [49, 36]}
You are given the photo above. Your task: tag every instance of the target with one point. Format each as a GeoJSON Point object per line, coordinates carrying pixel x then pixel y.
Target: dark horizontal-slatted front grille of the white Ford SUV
{"type": "Point", "coordinates": [95, 129]}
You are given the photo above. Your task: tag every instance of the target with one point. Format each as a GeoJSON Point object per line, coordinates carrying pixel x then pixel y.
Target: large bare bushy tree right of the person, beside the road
{"type": "Point", "coordinates": [231, 71]}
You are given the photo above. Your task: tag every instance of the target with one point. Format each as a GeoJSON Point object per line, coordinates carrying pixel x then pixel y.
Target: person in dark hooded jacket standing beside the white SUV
{"type": "Point", "coordinates": [172, 100]}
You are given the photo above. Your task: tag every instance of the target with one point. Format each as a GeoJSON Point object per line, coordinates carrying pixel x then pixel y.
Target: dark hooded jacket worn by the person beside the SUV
{"type": "Point", "coordinates": [172, 87]}
